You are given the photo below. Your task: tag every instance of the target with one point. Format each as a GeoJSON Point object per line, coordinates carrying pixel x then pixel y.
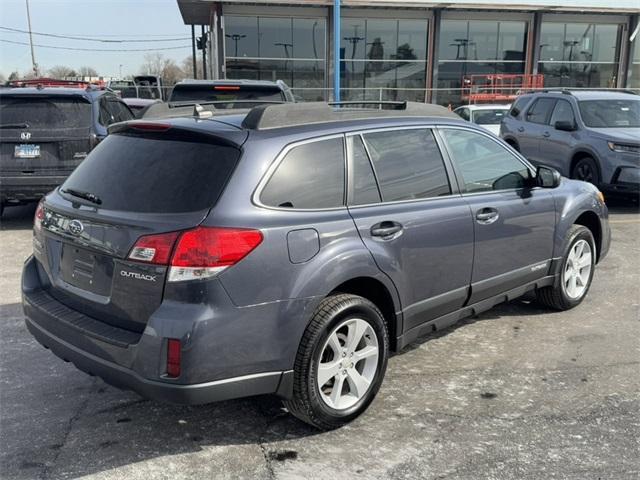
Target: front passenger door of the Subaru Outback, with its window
{"type": "Point", "coordinates": [514, 223]}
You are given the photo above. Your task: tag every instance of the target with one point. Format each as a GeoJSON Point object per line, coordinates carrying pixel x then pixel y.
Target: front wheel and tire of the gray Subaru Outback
{"type": "Point", "coordinates": [560, 296]}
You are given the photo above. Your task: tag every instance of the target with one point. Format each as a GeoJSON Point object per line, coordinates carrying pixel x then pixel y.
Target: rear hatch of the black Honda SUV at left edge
{"type": "Point", "coordinates": [43, 134]}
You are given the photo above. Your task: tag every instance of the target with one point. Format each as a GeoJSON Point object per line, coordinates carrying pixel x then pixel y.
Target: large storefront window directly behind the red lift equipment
{"type": "Point", "coordinates": [477, 47]}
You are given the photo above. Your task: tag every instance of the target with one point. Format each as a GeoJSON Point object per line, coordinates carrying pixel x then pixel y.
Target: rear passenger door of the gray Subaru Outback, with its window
{"type": "Point", "coordinates": [409, 216]}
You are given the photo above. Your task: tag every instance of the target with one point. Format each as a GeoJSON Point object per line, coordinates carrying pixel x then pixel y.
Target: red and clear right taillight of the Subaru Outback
{"type": "Point", "coordinates": [199, 253]}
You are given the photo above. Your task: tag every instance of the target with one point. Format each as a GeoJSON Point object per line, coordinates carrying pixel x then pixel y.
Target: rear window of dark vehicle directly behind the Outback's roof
{"type": "Point", "coordinates": [224, 93]}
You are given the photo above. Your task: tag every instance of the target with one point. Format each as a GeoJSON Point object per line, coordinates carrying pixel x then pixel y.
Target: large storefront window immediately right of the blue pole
{"type": "Point", "coordinates": [383, 59]}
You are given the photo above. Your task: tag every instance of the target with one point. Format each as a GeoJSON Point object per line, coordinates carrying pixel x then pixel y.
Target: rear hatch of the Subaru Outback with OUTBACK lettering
{"type": "Point", "coordinates": [139, 185]}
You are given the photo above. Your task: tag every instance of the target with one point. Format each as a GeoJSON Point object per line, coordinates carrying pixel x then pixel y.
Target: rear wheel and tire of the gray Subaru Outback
{"type": "Point", "coordinates": [334, 320]}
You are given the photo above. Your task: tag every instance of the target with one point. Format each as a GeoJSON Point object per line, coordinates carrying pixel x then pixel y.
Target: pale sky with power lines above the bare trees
{"type": "Point", "coordinates": [109, 19]}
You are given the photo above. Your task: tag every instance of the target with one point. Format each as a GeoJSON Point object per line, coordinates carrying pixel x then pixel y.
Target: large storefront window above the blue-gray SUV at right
{"type": "Point", "coordinates": [579, 55]}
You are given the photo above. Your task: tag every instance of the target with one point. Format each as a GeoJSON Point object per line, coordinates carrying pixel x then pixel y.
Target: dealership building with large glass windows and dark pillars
{"type": "Point", "coordinates": [434, 51]}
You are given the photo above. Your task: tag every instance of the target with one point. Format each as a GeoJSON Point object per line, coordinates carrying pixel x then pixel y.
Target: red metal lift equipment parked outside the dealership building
{"type": "Point", "coordinates": [498, 87]}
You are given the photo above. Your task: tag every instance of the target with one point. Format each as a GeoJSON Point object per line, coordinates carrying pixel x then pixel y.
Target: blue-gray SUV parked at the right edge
{"type": "Point", "coordinates": [587, 135]}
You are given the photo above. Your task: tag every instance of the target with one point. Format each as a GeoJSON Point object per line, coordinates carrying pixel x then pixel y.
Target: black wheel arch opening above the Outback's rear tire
{"type": "Point", "coordinates": [377, 293]}
